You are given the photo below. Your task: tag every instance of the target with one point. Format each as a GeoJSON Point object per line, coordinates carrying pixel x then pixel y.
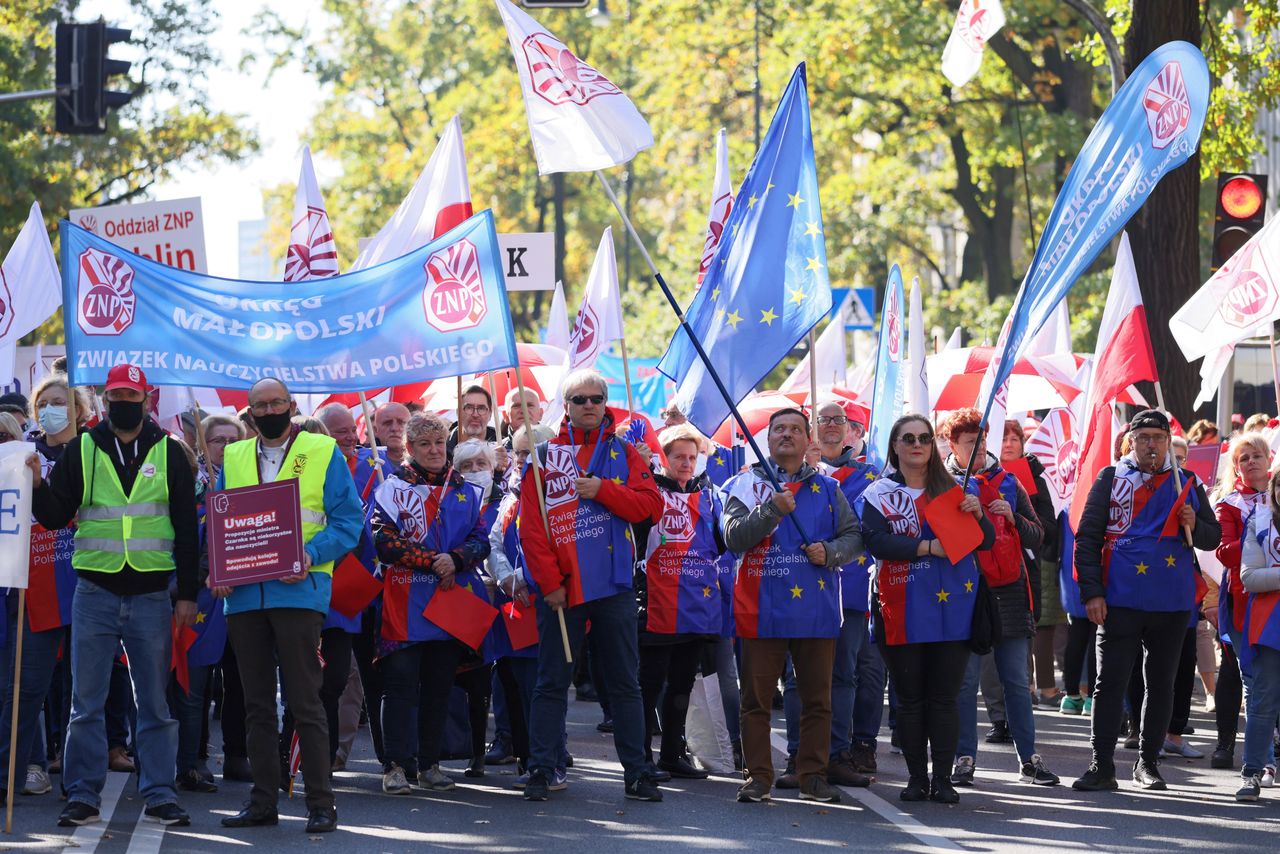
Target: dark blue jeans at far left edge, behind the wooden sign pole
{"type": "Point", "coordinates": [39, 661]}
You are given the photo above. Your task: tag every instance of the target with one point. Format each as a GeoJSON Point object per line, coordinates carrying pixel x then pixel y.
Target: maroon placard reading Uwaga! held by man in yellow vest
{"type": "Point", "coordinates": [255, 533]}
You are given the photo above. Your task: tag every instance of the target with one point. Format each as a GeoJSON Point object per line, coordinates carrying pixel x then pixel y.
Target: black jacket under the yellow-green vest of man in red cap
{"type": "Point", "coordinates": [58, 499]}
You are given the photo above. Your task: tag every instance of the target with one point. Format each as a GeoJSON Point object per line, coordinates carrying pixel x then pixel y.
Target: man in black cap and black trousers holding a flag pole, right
{"type": "Point", "coordinates": [1137, 579]}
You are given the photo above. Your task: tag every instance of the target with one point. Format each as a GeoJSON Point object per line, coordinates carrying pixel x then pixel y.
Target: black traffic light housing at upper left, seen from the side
{"type": "Point", "coordinates": [83, 74]}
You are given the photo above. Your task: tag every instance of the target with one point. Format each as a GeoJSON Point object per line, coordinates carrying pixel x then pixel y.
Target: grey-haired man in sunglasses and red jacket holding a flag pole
{"type": "Point", "coordinates": [596, 486]}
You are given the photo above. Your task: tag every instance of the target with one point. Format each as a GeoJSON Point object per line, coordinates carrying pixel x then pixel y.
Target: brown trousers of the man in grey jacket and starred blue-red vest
{"type": "Point", "coordinates": [764, 663]}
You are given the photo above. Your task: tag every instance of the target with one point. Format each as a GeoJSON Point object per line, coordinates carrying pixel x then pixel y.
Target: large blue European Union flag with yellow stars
{"type": "Point", "coordinates": [767, 285]}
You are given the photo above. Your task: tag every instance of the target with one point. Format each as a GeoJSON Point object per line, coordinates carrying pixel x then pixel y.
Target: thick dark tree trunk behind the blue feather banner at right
{"type": "Point", "coordinates": [1165, 235]}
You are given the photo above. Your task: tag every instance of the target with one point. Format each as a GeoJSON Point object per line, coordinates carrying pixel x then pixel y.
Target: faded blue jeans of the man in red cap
{"type": "Point", "coordinates": [103, 620]}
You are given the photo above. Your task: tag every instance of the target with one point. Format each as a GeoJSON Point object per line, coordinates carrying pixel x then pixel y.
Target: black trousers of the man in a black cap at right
{"type": "Point", "coordinates": [1128, 634]}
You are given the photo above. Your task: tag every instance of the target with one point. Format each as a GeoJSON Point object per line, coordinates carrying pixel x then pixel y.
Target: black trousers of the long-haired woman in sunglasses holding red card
{"type": "Point", "coordinates": [927, 679]}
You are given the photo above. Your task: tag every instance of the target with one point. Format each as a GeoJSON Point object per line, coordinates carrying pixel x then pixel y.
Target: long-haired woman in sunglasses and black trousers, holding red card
{"type": "Point", "coordinates": [926, 602]}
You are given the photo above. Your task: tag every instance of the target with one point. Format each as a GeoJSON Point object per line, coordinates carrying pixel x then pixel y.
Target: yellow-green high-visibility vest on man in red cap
{"type": "Point", "coordinates": [115, 529]}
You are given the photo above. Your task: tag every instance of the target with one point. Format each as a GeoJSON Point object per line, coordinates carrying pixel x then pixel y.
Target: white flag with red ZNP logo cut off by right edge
{"type": "Point", "coordinates": [1244, 295]}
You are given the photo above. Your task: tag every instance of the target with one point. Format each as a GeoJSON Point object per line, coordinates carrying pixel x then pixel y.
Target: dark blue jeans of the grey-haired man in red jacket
{"type": "Point", "coordinates": [614, 629]}
